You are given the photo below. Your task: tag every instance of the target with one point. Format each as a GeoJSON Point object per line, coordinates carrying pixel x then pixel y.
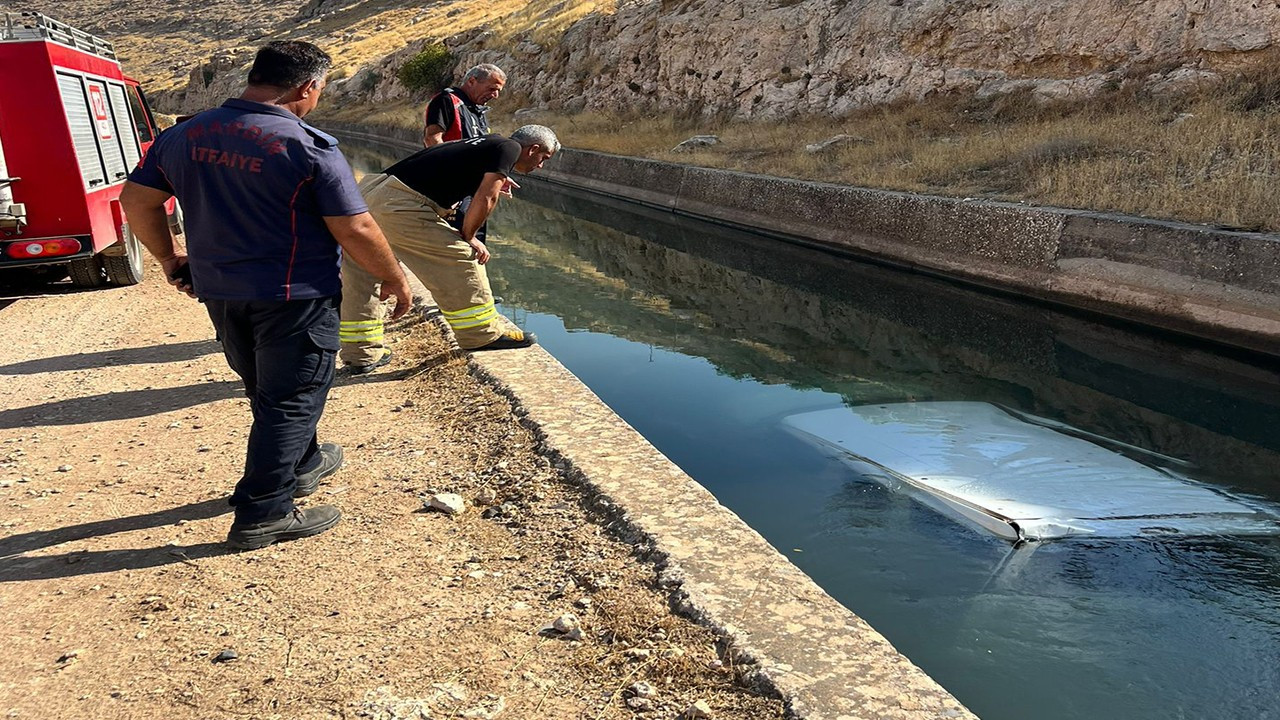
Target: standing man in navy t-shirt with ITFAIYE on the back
{"type": "Point", "coordinates": [268, 202]}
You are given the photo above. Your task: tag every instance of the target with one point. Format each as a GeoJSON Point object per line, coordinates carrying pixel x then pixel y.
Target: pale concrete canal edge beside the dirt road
{"type": "Point", "coordinates": [824, 660]}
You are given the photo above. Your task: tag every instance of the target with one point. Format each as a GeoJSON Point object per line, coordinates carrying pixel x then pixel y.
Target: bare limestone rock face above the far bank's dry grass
{"type": "Point", "coordinates": [778, 58]}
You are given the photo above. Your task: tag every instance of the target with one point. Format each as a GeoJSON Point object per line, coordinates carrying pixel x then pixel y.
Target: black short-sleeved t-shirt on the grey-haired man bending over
{"type": "Point", "coordinates": [452, 171]}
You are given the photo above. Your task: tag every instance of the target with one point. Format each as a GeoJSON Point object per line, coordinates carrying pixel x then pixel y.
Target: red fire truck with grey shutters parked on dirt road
{"type": "Point", "coordinates": [72, 126]}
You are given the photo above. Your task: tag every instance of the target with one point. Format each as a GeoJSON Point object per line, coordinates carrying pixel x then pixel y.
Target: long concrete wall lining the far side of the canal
{"type": "Point", "coordinates": [1192, 280]}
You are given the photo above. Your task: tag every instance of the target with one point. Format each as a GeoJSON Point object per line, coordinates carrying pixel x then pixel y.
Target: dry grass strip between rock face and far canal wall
{"type": "Point", "coordinates": [1213, 158]}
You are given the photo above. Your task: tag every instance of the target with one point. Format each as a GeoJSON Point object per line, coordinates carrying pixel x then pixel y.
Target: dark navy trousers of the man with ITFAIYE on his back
{"type": "Point", "coordinates": [285, 353]}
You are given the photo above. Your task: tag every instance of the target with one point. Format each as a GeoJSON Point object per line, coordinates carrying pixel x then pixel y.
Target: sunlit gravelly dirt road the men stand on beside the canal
{"type": "Point", "coordinates": [122, 432]}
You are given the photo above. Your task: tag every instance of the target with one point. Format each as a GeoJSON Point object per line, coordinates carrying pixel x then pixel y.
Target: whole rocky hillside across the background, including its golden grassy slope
{"type": "Point", "coordinates": [733, 58]}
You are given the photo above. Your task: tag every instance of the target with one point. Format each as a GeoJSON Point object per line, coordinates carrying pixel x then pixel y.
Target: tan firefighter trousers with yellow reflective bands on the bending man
{"type": "Point", "coordinates": [435, 252]}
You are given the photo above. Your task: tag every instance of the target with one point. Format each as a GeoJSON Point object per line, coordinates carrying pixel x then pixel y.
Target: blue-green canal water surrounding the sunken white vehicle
{"type": "Point", "coordinates": [706, 340]}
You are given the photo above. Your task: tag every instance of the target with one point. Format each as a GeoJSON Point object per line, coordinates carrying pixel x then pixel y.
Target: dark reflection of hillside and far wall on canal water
{"type": "Point", "coordinates": [783, 315]}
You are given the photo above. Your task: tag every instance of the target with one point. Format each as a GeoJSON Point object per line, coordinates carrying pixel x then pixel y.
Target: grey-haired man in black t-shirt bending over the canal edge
{"type": "Point", "coordinates": [414, 202]}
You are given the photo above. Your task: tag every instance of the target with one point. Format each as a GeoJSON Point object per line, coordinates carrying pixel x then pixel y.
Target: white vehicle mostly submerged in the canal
{"type": "Point", "coordinates": [1027, 479]}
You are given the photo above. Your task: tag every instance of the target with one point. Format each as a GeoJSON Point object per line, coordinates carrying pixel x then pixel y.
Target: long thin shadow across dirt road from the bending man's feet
{"type": "Point", "coordinates": [125, 405]}
